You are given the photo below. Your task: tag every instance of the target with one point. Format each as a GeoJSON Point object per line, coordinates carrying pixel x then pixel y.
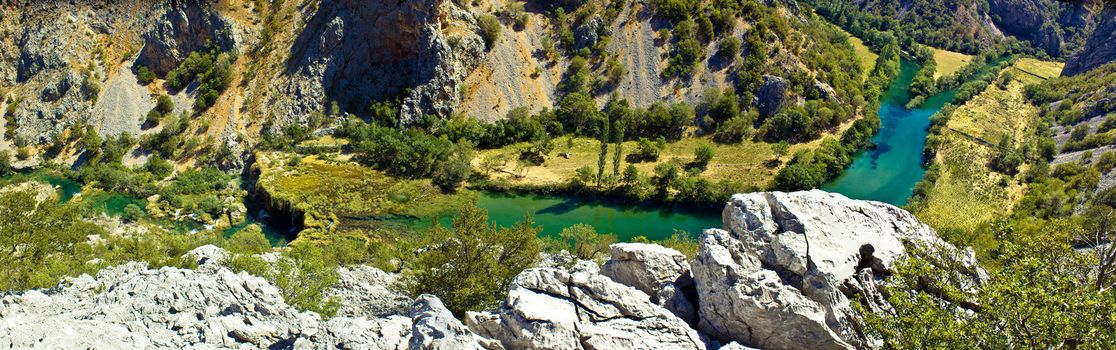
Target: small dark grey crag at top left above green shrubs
{"type": "Point", "coordinates": [185, 28]}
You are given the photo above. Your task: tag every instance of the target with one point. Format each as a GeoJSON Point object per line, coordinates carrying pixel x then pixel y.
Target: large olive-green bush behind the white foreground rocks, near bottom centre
{"type": "Point", "coordinates": [470, 267]}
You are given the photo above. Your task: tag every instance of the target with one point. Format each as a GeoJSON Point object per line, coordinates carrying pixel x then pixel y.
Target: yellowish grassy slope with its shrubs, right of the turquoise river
{"type": "Point", "coordinates": [971, 180]}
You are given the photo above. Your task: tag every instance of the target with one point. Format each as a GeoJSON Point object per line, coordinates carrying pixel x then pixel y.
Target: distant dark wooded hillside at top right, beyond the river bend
{"type": "Point", "coordinates": [1055, 28]}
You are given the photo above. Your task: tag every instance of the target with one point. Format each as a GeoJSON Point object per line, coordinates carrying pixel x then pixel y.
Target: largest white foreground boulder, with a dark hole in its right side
{"type": "Point", "coordinates": [783, 273]}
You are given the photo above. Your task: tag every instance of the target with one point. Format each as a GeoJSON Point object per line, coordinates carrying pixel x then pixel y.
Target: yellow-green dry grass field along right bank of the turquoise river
{"type": "Point", "coordinates": [968, 195]}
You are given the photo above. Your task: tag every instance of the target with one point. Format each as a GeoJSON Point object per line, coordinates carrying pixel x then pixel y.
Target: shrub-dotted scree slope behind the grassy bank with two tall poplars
{"type": "Point", "coordinates": [528, 63]}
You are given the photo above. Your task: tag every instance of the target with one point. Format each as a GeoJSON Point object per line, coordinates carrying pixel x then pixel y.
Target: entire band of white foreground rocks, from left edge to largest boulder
{"type": "Point", "coordinates": [781, 276]}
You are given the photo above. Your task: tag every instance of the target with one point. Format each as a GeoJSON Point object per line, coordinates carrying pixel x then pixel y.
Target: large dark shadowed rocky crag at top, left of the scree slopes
{"type": "Point", "coordinates": [355, 52]}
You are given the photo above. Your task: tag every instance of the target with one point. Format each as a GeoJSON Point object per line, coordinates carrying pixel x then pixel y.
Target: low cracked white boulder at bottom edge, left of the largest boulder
{"type": "Point", "coordinates": [557, 309]}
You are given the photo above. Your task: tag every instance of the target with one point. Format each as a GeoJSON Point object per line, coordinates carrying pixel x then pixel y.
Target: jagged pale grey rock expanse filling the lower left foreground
{"type": "Point", "coordinates": [130, 307]}
